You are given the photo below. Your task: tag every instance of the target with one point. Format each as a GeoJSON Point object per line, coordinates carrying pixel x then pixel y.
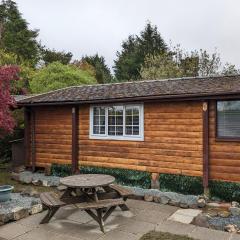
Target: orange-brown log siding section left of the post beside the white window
{"type": "Point", "coordinates": [53, 135]}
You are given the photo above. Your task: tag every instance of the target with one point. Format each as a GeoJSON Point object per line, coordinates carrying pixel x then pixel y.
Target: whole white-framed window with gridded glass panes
{"type": "Point", "coordinates": [117, 121]}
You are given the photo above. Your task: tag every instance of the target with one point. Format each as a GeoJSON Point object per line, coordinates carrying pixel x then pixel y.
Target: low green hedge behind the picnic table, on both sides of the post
{"type": "Point", "coordinates": [123, 176]}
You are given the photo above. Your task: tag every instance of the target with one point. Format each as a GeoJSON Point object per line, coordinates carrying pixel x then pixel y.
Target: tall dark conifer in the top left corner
{"type": "Point", "coordinates": [15, 36]}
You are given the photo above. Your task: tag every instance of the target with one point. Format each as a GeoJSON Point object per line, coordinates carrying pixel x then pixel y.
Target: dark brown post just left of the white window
{"type": "Point", "coordinates": [75, 113]}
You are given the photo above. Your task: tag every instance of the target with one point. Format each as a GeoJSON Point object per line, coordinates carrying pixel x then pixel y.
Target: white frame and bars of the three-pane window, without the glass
{"type": "Point", "coordinates": [105, 136]}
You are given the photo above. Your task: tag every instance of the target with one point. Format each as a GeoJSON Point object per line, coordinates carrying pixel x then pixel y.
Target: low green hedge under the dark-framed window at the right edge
{"type": "Point", "coordinates": [227, 191]}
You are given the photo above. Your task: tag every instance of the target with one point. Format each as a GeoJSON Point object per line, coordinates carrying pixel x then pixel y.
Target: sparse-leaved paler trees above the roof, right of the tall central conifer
{"type": "Point", "coordinates": [178, 63]}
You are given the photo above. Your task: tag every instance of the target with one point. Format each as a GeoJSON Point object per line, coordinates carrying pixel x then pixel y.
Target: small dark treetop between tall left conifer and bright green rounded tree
{"type": "Point", "coordinates": [49, 56]}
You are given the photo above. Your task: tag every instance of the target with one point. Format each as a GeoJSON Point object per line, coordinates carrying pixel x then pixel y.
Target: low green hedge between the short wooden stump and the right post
{"type": "Point", "coordinates": [181, 184]}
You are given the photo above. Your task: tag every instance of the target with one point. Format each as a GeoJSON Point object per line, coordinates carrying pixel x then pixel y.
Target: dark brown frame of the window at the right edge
{"type": "Point", "coordinates": [223, 138]}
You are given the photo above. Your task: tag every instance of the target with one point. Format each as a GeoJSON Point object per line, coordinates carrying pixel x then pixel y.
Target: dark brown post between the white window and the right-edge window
{"type": "Point", "coordinates": [205, 111]}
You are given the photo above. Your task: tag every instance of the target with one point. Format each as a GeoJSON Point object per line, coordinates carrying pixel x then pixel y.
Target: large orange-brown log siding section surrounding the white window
{"type": "Point", "coordinates": [173, 141]}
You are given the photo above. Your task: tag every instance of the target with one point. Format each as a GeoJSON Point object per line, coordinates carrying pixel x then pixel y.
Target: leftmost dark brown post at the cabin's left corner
{"type": "Point", "coordinates": [27, 135]}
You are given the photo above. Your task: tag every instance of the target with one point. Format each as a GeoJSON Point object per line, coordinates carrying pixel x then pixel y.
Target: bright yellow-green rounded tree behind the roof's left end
{"type": "Point", "coordinates": [57, 75]}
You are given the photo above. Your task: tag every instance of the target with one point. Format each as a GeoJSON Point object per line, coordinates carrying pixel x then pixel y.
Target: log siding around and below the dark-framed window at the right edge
{"type": "Point", "coordinates": [224, 155]}
